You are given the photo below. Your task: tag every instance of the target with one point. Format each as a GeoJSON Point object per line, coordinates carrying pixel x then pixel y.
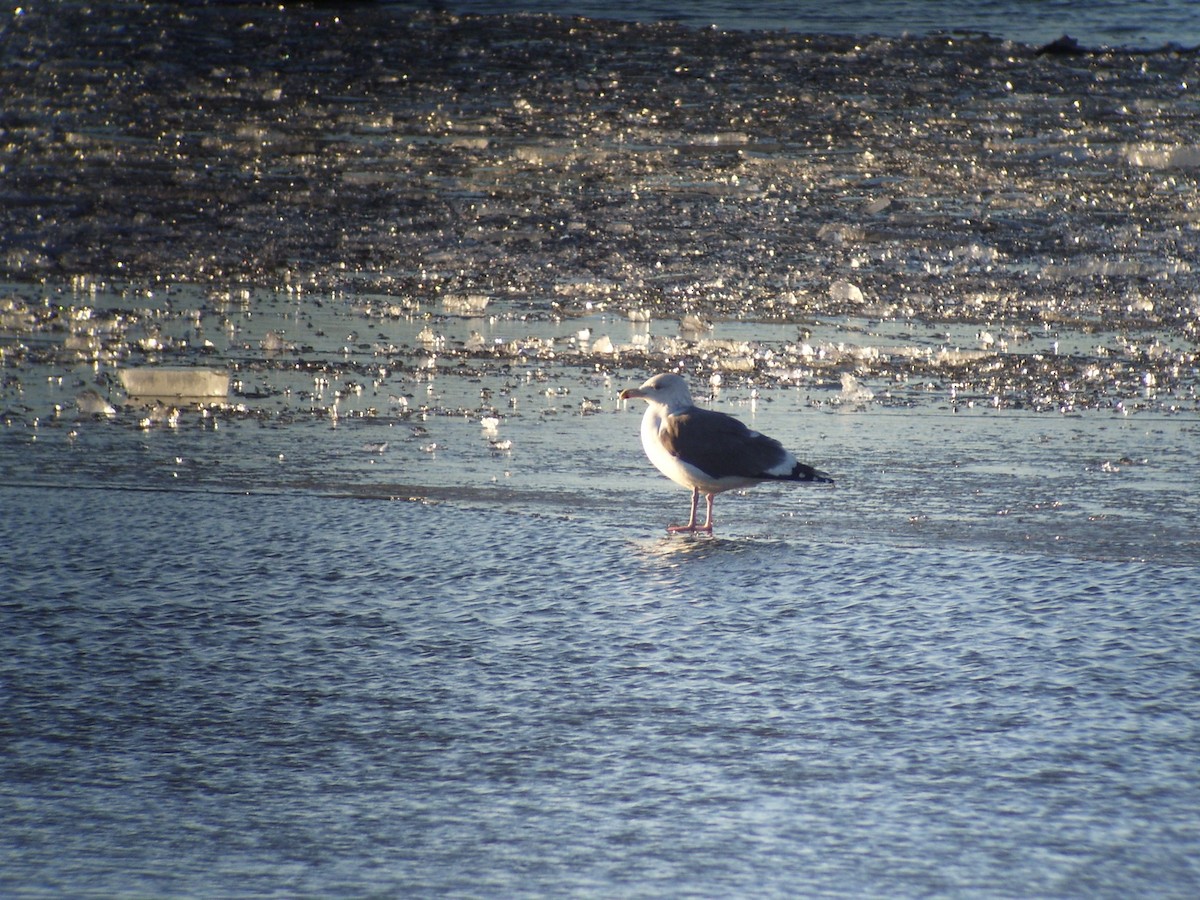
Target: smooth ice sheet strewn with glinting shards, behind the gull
{"type": "Point", "coordinates": [358, 405]}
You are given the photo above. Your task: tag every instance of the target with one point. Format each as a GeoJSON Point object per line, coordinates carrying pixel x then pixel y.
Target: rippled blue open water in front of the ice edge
{"type": "Point", "coordinates": [220, 694]}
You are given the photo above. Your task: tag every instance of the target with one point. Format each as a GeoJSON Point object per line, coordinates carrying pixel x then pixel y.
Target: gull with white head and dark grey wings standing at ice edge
{"type": "Point", "coordinates": [706, 451]}
